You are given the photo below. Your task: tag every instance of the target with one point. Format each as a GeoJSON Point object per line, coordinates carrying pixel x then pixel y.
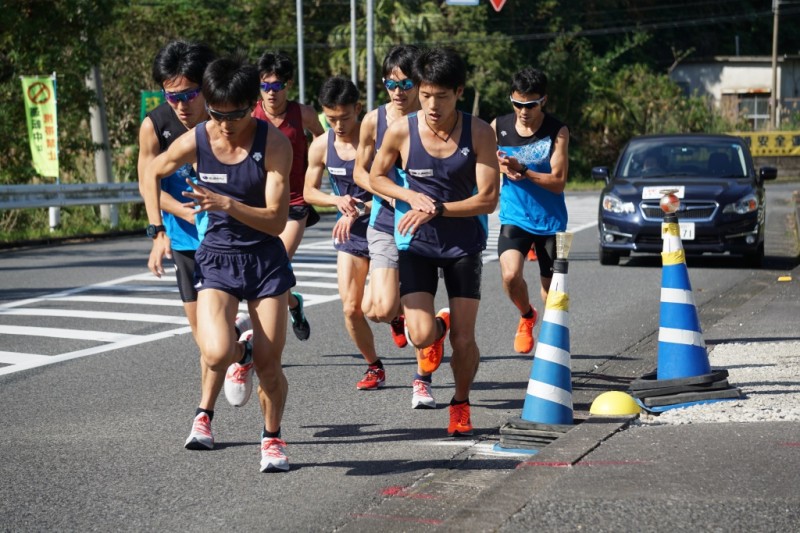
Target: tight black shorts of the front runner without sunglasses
{"type": "Point", "coordinates": [462, 275]}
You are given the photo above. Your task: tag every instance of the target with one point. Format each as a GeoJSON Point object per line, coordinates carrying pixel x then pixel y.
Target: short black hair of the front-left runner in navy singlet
{"type": "Point", "coordinates": [231, 80]}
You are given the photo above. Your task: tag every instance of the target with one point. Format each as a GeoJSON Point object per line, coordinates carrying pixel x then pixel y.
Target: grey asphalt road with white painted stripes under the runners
{"type": "Point", "coordinates": [94, 440]}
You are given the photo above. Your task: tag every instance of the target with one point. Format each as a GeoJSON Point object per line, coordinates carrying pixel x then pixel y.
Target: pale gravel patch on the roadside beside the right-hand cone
{"type": "Point", "coordinates": [767, 373]}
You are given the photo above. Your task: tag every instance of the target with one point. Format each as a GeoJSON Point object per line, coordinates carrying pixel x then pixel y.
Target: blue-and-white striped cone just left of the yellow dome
{"type": "Point", "coordinates": [549, 396]}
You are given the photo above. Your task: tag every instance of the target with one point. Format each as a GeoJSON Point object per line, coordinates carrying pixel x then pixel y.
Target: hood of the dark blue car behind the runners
{"type": "Point", "coordinates": [693, 189]}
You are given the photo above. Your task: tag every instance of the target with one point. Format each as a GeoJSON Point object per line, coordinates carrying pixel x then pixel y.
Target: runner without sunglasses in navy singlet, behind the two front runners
{"type": "Point", "coordinates": [336, 152]}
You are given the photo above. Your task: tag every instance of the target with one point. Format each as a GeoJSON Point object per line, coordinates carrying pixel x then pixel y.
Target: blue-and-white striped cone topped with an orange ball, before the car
{"type": "Point", "coordinates": [681, 349]}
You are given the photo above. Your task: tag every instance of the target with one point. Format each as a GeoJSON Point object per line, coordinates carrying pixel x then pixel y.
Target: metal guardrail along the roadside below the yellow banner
{"type": "Point", "coordinates": [64, 195]}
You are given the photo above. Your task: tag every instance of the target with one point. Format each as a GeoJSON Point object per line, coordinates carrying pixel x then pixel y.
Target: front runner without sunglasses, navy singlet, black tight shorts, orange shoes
{"type": "Point", "coordinates": [452, 178]}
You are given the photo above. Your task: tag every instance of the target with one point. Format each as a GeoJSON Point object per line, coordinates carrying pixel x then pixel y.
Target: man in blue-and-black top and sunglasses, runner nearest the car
{"type": "Point", "coordinates": [532, 152]}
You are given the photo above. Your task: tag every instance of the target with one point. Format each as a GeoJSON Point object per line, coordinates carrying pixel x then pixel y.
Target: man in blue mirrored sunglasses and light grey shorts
{"type": "Point", "coordinates": [382, 302]}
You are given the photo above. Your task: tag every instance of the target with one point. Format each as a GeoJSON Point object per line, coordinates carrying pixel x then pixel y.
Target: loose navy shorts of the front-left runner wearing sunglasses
{"type": "Point", "coordinates": [260, 271]}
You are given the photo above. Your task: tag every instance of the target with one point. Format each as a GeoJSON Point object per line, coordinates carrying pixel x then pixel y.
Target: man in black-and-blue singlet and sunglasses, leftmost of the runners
{"type": "Point", "coordinates": [178, 70]}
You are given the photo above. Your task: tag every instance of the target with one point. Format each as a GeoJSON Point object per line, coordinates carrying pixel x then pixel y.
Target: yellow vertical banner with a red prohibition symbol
{"type": "Point", "coordinates": [39, 94]}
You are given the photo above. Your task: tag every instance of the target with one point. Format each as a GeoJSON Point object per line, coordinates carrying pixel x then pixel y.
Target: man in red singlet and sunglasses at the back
{"type": "Point", "coordinates": [293, 120]}
